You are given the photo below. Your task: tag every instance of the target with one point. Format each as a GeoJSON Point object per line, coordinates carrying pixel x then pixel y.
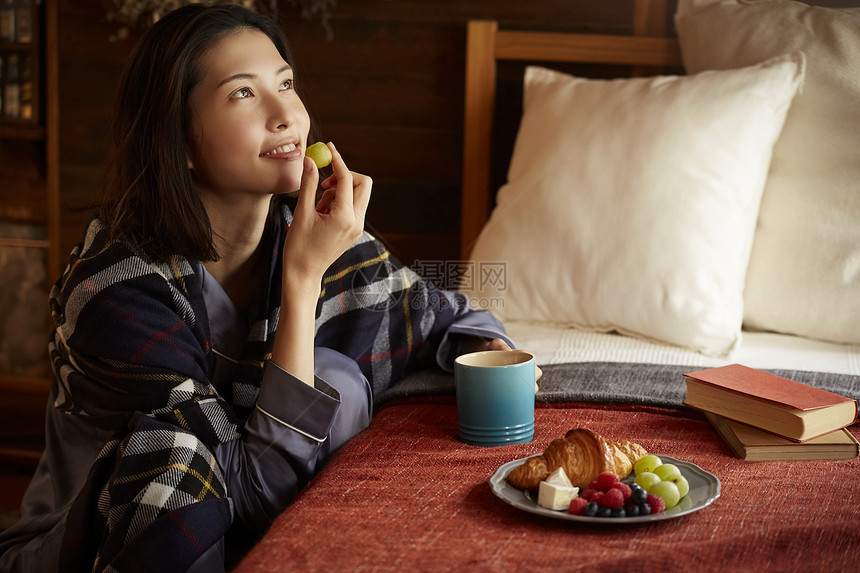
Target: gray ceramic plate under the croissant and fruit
{"type": "Point", "coordinates": [704, 489]}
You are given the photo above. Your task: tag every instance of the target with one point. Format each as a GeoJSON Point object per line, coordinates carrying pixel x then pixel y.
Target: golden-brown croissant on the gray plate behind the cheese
{"type": "Point", "coordinates": [583, 455]}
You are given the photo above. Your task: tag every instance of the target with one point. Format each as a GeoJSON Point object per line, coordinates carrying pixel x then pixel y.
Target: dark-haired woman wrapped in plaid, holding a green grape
{"type": "Point", "coordinates": [220, 331]}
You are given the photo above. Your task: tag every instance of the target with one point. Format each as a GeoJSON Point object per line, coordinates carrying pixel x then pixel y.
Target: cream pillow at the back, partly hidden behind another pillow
{"type": "Point", "coordinates": [804, 271]}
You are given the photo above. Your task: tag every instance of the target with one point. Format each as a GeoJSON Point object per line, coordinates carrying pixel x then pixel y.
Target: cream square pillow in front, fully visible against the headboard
{"type": "Point", "coordinates": [630, 204]}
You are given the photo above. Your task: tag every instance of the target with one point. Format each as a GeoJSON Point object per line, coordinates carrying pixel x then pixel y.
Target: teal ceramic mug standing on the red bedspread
{"type": "Point", "coordinates": [495, 397]}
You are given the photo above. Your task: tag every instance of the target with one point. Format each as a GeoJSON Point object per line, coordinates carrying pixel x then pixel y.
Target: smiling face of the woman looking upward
{"type": "Point", "coordinates": [249, 128]}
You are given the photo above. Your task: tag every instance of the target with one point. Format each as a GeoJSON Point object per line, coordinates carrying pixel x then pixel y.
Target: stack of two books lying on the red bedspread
{"type": "Point", "coordinates": [762, 416]}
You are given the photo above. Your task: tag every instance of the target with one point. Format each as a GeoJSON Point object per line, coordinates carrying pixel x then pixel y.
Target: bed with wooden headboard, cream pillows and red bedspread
{"type": "Point", "coordinates": [406, 494]}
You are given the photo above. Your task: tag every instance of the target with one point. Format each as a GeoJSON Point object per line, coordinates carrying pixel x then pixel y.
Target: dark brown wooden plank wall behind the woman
{"type": "Point", "coordinates": [386, 85]}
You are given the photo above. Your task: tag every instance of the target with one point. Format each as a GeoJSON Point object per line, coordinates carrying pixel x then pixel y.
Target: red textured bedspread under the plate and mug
{"type": "Point", "coordinates": [407, 495]}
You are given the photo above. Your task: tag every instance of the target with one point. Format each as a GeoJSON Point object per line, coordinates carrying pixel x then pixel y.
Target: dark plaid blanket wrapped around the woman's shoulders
{"type": "Point", "coordinates": [131, 353]}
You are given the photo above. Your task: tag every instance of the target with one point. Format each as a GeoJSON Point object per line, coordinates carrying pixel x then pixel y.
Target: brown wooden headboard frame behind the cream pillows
{"type": "Point", "coordinates": [648, 50]}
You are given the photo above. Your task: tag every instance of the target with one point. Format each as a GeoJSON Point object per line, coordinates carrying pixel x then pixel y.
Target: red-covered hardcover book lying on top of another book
{"type": "Point", "coordinates": [784, 407]}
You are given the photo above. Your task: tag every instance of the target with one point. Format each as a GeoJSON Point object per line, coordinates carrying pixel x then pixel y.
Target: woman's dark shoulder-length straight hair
{"type": "Point", "coordinates": [151, 202]}
